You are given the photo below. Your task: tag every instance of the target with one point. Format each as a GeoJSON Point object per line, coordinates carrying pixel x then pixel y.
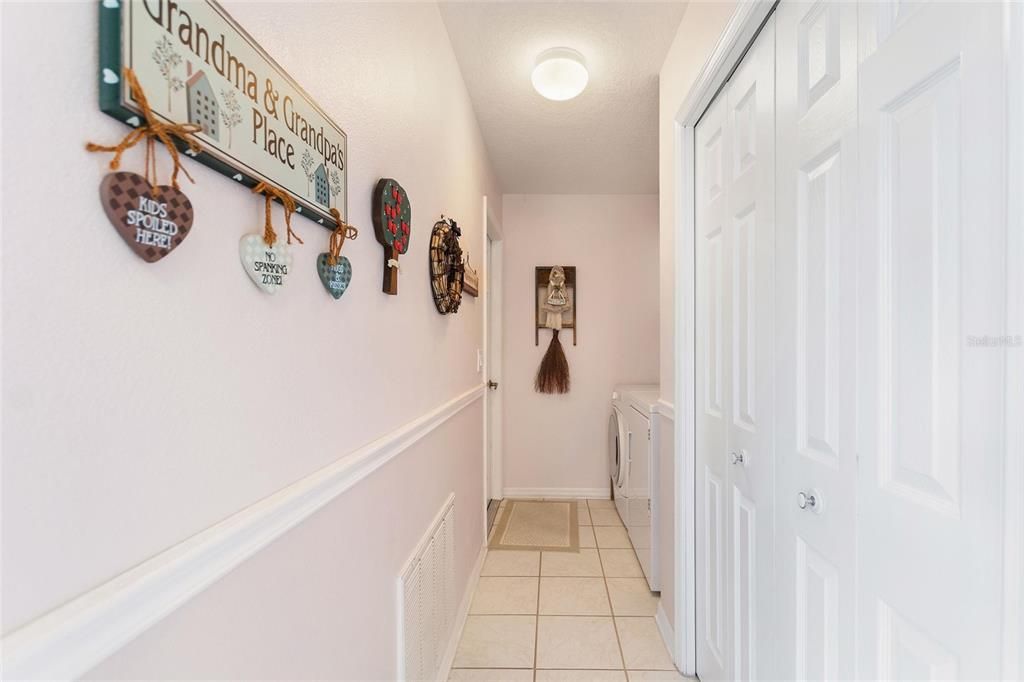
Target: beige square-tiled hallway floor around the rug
{"type": "Point", "coordinates": [563, 617]}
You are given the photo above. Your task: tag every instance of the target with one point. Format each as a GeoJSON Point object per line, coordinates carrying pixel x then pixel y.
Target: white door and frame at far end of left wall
{"type": "Point", "coordinates": [491, 290]}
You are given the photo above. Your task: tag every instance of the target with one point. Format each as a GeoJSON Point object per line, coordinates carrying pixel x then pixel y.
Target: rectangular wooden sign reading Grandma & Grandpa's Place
{"type": "Point", "coordinates": [198, 66]}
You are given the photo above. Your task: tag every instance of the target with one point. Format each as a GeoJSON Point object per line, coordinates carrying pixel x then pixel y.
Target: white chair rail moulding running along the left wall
{"type": "Point", "coordinates": [72, 640]}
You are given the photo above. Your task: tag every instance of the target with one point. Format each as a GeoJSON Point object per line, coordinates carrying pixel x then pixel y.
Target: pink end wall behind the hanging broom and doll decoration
{"type": "Point", "coordinates": [560, 442]}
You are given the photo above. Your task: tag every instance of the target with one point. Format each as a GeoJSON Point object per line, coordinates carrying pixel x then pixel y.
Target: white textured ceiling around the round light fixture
{"type": "Point", "coordinates": [606, 141]}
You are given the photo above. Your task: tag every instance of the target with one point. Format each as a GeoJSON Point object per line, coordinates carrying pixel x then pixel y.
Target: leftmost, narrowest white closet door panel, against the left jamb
{"type": "Point", "coordinates": [712, 367]}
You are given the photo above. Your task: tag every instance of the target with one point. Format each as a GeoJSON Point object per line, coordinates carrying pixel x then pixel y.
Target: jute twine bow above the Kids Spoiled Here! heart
{"type": "Point", "coordinates": [154, 130]}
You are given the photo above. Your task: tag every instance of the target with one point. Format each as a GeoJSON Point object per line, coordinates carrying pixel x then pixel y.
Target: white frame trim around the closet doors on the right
{"type": "Point", "coordinates": [734, 42]}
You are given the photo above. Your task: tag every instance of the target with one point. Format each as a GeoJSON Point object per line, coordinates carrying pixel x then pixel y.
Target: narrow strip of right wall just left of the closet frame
{"type": "Point", "coordinates": [697, 37]}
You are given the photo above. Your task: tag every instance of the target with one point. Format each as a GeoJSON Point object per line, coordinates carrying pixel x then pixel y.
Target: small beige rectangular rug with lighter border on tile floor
{"type": "Point", "coordinates": [533, 525]}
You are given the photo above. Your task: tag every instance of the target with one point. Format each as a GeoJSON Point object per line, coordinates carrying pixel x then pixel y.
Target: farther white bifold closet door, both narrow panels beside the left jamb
{"type": "Point", "coordinates": [736, 219]}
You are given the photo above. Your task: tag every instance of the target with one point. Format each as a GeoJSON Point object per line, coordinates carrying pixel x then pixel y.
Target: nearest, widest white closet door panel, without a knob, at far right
{"type": "Point", "coordinates": [931, 276]}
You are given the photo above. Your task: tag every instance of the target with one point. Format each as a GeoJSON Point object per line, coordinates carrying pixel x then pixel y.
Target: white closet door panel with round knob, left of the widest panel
{"type": "Point", "coordinates": [817, 459]}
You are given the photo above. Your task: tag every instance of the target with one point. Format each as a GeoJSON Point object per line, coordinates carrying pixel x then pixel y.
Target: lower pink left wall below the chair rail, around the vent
{"type": "Point", "coordinates": [319, 604]}
